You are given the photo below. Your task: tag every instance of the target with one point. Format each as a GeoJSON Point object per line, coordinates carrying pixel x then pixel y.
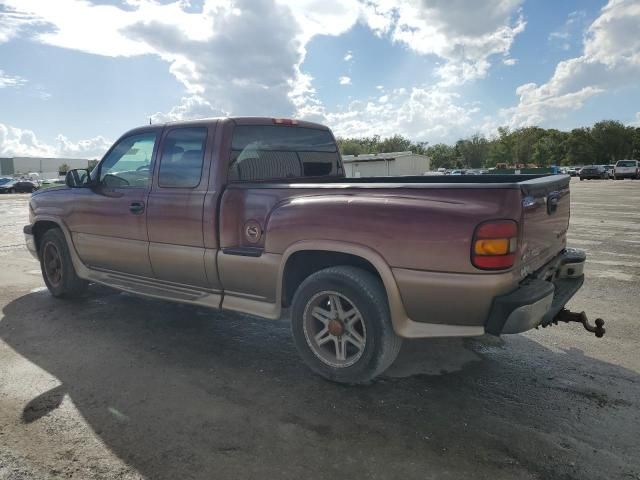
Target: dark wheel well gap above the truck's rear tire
{"type": "Point", "coordinates": [304, 263]}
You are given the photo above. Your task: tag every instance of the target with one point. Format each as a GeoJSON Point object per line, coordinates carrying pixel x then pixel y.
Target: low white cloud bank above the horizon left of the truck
{"type": "Point", "coordinates": [18, 142]}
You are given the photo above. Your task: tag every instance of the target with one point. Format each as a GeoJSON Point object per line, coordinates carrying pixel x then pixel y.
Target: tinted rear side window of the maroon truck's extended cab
{"type": "Point", "coordinates": [182, 158]}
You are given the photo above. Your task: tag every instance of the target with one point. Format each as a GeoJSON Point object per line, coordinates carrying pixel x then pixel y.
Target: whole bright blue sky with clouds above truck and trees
{"type": "Point", "coordinates": [76, 74]}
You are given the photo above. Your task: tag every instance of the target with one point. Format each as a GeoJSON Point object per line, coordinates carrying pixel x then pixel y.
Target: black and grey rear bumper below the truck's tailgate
{"type": "Point", "coordinates": [539, 298]}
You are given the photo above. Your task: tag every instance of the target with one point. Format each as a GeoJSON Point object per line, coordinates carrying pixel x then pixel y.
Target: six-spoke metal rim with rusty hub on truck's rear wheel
{"type": "Point", "coordinates": [334, 329]}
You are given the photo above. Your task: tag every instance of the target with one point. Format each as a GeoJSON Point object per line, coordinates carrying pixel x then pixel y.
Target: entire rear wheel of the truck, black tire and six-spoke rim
{"type": "Point", "coordinates": [365, 340]}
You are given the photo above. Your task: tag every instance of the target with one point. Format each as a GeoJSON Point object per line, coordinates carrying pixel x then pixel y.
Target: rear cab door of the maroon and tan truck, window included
{"type": "Point", "coordinates": [176, 208]}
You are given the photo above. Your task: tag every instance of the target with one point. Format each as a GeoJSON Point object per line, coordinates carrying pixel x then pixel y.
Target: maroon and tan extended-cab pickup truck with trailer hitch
{"type": "Point", "coordinates": [255, 215]}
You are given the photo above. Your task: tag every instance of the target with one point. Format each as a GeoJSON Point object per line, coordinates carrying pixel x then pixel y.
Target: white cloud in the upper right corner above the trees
{"type": "Point", "coordinates": [610, 60]}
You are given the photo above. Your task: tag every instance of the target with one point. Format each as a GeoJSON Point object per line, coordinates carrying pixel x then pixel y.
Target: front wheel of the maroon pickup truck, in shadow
{"type": "Point", "coordinates": [57, 268]}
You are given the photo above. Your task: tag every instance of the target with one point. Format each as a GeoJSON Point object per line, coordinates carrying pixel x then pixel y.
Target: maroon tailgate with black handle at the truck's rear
{"type": "Point", "coordinates": [545, 220]}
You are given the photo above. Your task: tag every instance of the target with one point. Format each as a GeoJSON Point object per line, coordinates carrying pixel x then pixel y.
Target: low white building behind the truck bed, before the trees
{"type": "Point", "coordinates": [385, 164]}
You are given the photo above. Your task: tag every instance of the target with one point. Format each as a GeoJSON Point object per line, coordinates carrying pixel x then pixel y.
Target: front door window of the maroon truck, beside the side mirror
{"type": "Point", "coordinates": [128, 165]}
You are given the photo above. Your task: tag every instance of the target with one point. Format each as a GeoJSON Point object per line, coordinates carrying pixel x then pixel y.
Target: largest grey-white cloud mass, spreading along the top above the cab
{"type": "Point", "coordinates": [245, 57]}
